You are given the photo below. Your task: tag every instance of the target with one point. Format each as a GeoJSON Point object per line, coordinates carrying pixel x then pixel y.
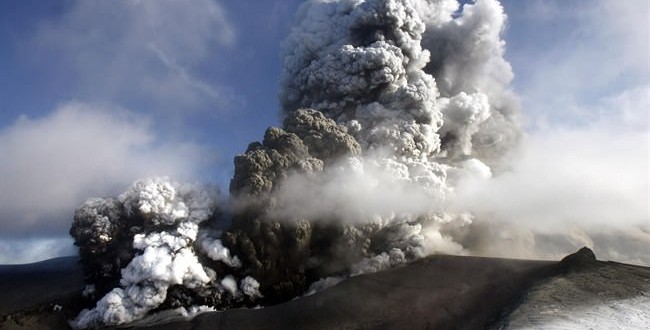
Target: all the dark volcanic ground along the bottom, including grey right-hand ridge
{"type": "Point", "coordinates": [439, 292]}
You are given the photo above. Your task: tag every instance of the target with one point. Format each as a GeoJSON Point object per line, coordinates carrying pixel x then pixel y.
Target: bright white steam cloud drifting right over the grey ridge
{"type": "Point", "coordinates": [562, 193]}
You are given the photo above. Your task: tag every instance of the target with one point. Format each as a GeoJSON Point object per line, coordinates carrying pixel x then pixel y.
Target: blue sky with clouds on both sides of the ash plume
{"type": "Point", "coordinates": [94, 95]}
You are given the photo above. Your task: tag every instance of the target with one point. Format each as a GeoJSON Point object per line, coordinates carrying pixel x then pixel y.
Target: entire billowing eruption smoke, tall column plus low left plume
{"type": "Point", "coordinates": [387, 105]}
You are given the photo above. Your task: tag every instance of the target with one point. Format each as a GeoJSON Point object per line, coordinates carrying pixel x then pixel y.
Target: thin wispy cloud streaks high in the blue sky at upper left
{"type": "Point", "coordinates": [138, 50]}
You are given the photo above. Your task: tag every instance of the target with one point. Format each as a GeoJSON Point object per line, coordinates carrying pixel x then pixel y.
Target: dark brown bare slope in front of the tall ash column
{"type": "Point", "coordinates": [440, 292]}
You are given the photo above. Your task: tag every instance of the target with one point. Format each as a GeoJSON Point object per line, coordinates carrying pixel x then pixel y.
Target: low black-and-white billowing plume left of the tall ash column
{"type": "Point", "coordinates": [149, 248]}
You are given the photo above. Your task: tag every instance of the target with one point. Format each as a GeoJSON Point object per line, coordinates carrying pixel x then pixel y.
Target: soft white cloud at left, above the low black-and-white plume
{"type": "Point", "coordinates": [51, 164]}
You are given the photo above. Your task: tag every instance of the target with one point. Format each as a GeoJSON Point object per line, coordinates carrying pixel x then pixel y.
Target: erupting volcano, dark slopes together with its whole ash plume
{"type": "Point", "coordinates": [360, 209]}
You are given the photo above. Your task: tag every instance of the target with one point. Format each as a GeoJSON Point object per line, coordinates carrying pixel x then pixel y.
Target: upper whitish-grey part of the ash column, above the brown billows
{"type": "Point", "coordinates": [406, 76]}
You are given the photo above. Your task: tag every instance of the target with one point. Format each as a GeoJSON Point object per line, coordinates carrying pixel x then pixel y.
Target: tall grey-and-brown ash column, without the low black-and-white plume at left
{"type": "Point", "coordinates": [371, 72]}
